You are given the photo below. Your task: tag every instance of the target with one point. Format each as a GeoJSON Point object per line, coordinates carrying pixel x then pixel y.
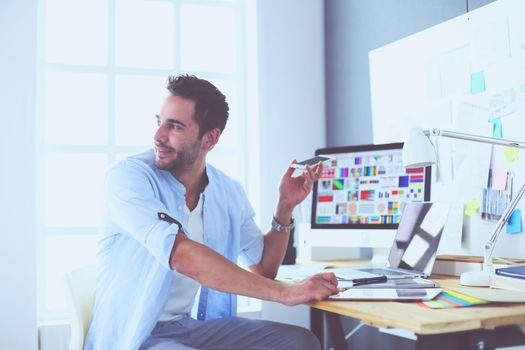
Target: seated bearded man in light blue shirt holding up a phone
{"type": "Point", "coordinates": [174, 225]}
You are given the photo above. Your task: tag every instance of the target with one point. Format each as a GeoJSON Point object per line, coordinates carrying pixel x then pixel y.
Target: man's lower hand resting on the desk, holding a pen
{"type": "Point", "coordinates": [315, 288]}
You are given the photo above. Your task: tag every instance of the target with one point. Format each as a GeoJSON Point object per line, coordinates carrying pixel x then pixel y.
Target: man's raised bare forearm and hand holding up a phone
{"type": "Point", "coordinates": [292, 191]}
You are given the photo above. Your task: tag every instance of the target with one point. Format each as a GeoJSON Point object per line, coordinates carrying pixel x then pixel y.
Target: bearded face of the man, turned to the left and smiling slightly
{"type": "Point", "coordinates": [177, 145]}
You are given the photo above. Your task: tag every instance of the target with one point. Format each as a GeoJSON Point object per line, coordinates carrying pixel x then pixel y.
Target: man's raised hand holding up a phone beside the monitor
{"type": "Point", "coordinates": [293, 190]}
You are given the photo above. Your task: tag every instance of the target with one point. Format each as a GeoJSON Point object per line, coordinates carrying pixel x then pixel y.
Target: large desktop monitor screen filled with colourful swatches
{"type": "Point", "coordinates": [366, 187]}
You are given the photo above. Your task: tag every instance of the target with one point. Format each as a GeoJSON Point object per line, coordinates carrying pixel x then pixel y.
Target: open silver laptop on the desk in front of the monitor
{"type": "Point", "coordinates": [415, 245]}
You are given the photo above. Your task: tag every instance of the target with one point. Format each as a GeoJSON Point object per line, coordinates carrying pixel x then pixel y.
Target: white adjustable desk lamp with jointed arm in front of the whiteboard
{"type": "Point", "coordinates": [419, 152]}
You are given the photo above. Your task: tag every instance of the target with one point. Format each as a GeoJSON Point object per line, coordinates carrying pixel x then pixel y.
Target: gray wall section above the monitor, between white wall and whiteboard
{"type": "Point", "coordinates": [352, 29]}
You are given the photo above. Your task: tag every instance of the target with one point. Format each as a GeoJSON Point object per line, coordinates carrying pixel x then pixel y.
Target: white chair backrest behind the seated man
{"type": "Point", "coordinates": [81, 287]}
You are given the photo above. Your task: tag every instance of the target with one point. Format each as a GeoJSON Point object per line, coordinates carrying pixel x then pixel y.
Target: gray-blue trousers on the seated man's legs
{"type": "Point", "coordinates": [229, 333]}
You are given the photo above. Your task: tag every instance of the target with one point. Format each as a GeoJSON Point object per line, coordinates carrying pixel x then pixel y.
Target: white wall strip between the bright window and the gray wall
{"type": "Point", "coordinates": [291, 89]}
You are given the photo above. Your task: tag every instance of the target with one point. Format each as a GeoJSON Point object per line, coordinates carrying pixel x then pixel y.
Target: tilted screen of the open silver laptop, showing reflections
{"type": "Point", "coordinates": [418, 235]}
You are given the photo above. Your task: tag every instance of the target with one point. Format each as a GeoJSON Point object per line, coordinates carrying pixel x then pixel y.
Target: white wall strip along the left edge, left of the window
{"type": "Point", "coordinates": [18, 320]}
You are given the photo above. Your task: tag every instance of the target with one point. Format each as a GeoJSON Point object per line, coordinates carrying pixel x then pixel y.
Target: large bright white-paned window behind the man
{"type": "Point", "coordinates": [102, 74]}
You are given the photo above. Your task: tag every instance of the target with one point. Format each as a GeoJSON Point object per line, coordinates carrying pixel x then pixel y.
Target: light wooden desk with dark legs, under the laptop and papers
{"type": "Point", "coordinates": [483, 327]}
